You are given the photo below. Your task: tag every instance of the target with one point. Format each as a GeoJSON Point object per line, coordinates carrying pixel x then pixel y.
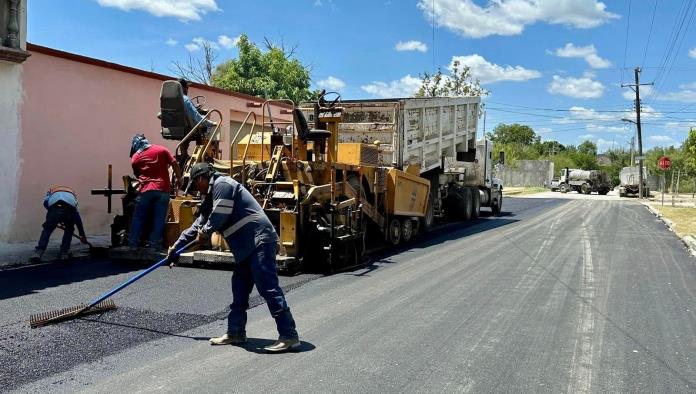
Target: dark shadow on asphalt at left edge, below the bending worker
{"type": "Point", "coordinates": [27, 280]}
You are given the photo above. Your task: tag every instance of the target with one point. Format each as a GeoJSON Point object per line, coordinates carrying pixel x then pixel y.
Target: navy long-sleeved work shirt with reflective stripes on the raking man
{"type": "Point", "coordinates": [231, 210]}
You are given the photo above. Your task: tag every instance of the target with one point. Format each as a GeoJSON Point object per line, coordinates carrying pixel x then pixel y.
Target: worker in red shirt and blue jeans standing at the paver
{"type": "Point", "coordinates": [151, 165]}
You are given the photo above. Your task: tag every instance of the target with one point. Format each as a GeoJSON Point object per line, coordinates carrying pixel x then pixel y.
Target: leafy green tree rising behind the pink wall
{"type": "Point", "coordinates": [273, 73]}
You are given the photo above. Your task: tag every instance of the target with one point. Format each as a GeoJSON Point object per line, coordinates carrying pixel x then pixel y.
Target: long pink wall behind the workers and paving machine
{"type": "Point", "coordinates": [78, 117]}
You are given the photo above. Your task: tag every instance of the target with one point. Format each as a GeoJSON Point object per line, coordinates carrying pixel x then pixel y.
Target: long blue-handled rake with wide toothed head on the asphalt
{"type": "Point", "coordinates": [98, 305]}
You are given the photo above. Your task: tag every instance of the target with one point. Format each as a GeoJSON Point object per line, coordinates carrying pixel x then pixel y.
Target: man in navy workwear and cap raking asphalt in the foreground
{"type": "Point", "coordinates": [230, 209]}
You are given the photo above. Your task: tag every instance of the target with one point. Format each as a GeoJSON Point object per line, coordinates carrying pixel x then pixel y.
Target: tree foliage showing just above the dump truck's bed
{"type": "Point", "coordinates": [459, 83]}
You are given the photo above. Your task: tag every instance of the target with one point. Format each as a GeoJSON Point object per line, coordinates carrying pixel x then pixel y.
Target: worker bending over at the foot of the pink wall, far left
{"type": "Point", "coordinates": [61, 205]}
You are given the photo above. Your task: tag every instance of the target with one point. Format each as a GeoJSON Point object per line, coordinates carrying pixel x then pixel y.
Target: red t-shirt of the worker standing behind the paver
{"type": "Point", "coordinates": [152, 167]}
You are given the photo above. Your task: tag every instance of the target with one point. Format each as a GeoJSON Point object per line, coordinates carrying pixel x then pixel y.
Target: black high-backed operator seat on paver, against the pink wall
{"type": "Point", "coordinates": [176, 122]}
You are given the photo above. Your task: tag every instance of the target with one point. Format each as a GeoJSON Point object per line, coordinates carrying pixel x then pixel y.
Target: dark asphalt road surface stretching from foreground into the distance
{"type": "Point", "coordinates": [555, 295]}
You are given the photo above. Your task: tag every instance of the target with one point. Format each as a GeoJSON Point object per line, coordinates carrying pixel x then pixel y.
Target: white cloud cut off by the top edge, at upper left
{"type": "Point", "coordinates": [184, 10]}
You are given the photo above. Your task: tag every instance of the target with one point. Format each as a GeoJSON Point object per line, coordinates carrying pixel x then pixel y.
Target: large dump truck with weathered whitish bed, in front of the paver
{"type": "Point", "coordinates": [434, 138]}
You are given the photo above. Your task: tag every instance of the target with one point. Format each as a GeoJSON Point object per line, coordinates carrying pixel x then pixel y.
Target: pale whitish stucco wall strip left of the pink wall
{"type": "Point", "coordinates": [10, 102]}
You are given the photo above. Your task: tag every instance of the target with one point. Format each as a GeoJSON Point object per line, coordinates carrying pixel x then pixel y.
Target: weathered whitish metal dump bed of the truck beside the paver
{"type": "Point", "coordinates": [412, 131]}
